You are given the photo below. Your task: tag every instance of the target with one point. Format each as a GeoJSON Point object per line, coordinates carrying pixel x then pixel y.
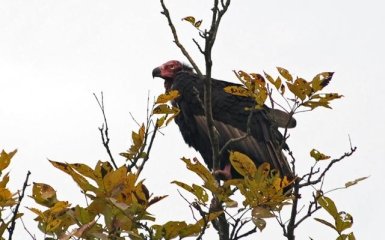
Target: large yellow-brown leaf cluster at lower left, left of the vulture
{"type": "Point", "coordinates": [118, 203]}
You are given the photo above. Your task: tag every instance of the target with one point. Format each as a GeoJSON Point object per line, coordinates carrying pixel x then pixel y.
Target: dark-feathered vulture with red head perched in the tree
{"type": "Point", "coordinates": [230, 119]}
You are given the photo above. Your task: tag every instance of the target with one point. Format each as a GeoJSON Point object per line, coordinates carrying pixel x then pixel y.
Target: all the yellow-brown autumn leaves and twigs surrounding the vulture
{"type": "Point", "coordinates": [118, 200]}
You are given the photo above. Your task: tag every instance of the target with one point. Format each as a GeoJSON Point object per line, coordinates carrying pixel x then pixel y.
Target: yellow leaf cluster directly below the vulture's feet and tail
{"type": "Point", "coordinates": [263, 189]}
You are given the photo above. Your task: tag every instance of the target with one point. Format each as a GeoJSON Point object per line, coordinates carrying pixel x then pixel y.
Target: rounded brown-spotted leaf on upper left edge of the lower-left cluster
{"type": "Point", "coordinates": [44, 194]}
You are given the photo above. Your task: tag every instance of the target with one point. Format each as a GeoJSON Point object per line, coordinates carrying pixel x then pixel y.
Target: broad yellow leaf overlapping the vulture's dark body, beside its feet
{"type": "Point", "coordinates": [242, 164]}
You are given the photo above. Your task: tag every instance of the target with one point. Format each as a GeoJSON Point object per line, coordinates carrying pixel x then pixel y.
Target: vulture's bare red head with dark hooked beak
{"type": "Point", "coordinates": [168, 70]}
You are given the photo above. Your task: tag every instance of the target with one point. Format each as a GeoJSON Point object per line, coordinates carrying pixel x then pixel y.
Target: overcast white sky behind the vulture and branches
{"type": "Point", "coordinates": [55, 54]}
